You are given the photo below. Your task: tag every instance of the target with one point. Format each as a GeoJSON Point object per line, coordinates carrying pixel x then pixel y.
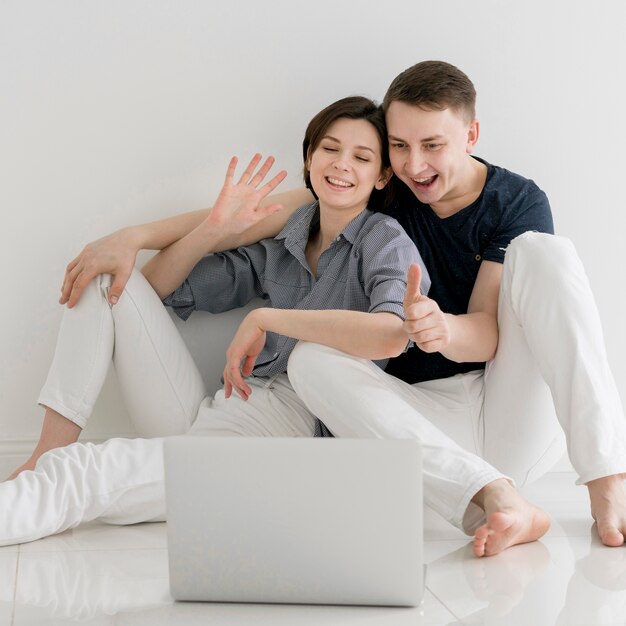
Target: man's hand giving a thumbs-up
{"type": "Point", "coordinates": [425, 323]}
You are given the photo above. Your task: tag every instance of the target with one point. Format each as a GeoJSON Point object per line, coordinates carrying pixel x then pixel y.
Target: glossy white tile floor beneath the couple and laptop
{"type": "Point", "coordinates": [100, 574]}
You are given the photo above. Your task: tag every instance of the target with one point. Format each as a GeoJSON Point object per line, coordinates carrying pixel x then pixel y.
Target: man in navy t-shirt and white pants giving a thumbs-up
{"type": "Point", "coordinates": [532, 318]}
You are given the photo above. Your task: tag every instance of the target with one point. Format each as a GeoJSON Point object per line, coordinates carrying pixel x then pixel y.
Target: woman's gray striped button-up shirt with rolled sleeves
{"type": "Point", "coordinates": [364, 269]}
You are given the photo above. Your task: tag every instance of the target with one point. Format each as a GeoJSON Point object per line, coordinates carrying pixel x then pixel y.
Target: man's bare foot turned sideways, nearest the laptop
{"type": "Point", "coordinates": [510, 519]}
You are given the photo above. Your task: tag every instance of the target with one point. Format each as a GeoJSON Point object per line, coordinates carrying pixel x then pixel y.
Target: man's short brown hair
{"type": "Point", "coordinates": [434, 85]}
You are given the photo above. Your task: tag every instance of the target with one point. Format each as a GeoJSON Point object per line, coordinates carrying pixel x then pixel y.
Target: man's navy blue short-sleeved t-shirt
{"type": "Point", "coordinates": [454, 247]}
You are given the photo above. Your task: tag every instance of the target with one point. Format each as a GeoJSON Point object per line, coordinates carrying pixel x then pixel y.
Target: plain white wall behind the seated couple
{"type": "Point", "coordinates": [126, 111]}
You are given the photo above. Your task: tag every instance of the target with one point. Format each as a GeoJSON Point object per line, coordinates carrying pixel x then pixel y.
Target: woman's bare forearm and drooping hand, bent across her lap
{"type": "Point", "coordinates": [367, 335]}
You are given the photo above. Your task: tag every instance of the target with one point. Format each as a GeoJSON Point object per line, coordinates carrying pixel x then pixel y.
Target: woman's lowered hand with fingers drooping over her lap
{"type": "Point", "coordinates": [242, 354]}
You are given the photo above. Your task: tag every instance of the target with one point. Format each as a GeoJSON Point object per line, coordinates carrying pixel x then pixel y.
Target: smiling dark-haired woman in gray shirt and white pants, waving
{"type": "Point", "coordinates": [334, 275]}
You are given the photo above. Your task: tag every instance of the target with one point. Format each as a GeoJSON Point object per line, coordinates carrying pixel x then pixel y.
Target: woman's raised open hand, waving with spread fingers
{"type": "Point", "coordinates": [237, 208]}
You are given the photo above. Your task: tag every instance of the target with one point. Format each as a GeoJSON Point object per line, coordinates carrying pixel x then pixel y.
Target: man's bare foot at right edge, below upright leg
{"type": "Point", "coordinates": [608, 507]}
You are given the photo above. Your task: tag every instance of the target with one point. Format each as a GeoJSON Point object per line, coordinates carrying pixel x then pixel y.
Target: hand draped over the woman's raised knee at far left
{"type": "Point", "coordinates": [114, 254]}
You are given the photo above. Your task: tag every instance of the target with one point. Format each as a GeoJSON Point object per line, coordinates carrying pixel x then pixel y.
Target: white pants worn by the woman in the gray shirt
{"type": "Point", "coordinates": [121, 481]}
